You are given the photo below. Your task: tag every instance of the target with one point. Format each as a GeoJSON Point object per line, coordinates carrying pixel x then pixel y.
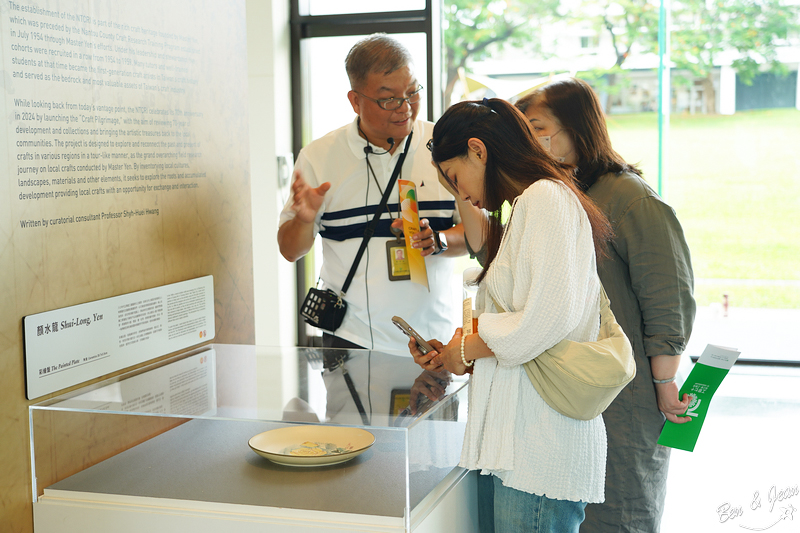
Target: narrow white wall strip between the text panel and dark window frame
{"type": "Point", "coordinates": [270, 136]}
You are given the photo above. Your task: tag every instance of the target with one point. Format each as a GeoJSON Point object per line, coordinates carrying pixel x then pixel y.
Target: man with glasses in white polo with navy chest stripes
{"type": "Point", "coordinates": [339, 181]}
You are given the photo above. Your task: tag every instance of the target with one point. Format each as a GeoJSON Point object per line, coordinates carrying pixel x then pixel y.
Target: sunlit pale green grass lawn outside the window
{"type": "Point", "coordinates": [734, 182]}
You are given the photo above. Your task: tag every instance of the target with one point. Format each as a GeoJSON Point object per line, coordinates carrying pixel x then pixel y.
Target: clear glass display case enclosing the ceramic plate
{"type": "Point", "coordinates": [168, 445]}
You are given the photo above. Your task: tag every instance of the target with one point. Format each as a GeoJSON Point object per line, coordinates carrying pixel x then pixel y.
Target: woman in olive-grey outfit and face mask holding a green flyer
{"type": "Point", "coordinates": [649, 280]}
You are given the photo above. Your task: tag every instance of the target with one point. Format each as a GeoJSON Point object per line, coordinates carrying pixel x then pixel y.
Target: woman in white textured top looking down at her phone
{"type": "Point", "coordinates": [539, 285]}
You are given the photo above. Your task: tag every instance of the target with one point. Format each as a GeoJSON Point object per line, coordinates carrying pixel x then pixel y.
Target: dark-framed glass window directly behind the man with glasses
{"type": "Point", "coordinates": [323, 33]}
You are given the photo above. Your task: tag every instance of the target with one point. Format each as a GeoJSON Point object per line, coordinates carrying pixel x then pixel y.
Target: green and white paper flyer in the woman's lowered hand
{"type": "Point", "coordinates": [703, 381]}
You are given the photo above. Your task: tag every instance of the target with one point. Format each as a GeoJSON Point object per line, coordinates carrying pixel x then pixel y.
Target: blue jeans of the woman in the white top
{"type": "Point", "coordinates": [506, 510]}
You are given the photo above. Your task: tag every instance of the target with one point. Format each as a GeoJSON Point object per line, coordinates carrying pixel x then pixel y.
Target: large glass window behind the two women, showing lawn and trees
{"type": "Point", "coordinates": [731, 170]}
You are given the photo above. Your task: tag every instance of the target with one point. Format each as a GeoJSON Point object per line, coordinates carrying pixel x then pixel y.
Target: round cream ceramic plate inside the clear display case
{"type": "Point", "coordinates": [311, 445]}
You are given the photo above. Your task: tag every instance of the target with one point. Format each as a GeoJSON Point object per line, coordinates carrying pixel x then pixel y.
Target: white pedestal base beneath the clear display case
{"type": "Point", "coordinates": [451, 507]}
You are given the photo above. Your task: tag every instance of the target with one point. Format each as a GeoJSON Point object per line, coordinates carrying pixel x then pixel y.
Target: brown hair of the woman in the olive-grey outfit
{"type": "Point", "coordinates": [574, 104]}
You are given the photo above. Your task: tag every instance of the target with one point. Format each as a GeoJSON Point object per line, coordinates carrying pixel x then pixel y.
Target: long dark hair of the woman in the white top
{"type": "Point", "coordinates": [515, 160]}
